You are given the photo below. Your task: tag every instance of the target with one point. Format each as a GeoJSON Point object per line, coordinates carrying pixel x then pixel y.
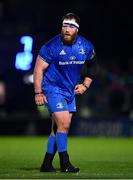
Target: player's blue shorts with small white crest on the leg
{"type": "Point", "coordinates": [58, 104]}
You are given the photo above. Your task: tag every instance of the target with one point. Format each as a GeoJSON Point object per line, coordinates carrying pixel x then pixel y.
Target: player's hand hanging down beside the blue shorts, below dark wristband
{"type": "Point", "coordinates": [40, 99]}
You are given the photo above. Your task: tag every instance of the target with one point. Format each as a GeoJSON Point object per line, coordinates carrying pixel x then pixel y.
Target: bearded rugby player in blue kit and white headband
{"type": "Point", "coordinates": [56, 82]}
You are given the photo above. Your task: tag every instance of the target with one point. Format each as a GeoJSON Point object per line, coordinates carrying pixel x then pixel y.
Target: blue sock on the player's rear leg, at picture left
{"type": "Point", "coordinates": [51, 145]}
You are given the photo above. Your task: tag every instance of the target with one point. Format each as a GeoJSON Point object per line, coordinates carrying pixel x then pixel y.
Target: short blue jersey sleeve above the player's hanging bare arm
{"type": "Point", "coordinates": [45, 54]}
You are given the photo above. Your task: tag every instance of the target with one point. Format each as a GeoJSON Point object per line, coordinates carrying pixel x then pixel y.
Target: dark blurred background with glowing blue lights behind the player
{"type": "Point", "coordinates": [107, 108]}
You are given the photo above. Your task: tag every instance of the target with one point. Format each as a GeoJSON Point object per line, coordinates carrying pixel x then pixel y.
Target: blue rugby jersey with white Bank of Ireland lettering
{"type": "Point", "coordinates": [65, 63]}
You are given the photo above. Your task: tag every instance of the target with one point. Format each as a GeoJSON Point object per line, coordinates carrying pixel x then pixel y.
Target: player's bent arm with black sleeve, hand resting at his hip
{"type": "Point", "coordinates": [90, 75]}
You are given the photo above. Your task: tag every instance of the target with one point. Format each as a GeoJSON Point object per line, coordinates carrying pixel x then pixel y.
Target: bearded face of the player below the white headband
{"type": "Point", "coordinates": [69, 33]}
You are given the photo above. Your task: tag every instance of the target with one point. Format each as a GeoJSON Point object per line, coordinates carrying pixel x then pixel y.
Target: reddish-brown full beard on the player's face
{"type": "Point", "coordinates": [68, 38]}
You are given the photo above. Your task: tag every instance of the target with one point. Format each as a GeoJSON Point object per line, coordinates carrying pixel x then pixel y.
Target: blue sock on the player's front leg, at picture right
{"type": "Point", "coordinates": [61, 141]}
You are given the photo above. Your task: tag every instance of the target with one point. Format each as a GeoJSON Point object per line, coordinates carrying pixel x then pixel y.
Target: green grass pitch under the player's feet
{"type": "Point", "coordinates": [98, 158]}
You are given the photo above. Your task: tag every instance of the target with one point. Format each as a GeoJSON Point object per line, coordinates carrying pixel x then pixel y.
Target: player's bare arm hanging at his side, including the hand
{"type": "Point", "coordinates": [39, 69]}
